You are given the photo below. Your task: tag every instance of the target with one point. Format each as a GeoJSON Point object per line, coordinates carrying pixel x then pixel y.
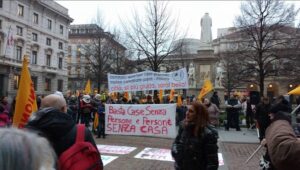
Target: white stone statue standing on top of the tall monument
{"type": "Point", "coordinates": [206, 23]}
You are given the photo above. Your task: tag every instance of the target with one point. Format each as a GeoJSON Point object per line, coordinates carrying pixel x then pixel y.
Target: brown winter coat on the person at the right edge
{"type": "Point", "coordinates": [283, 146]}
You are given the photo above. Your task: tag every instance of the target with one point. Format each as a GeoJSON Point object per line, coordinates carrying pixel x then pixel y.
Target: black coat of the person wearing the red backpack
{"type": "Point", "coordinates": [58, 127]}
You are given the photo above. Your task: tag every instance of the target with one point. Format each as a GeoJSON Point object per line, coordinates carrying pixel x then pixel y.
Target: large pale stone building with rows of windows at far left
{"type": "Point", "coordinates": [38, 28]}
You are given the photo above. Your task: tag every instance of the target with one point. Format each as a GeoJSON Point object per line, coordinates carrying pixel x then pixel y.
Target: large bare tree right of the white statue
{"type": "Point", "coordinates": [265, 30]}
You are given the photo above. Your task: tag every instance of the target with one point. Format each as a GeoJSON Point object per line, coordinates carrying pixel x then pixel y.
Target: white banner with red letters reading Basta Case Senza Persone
{"type": "Point", "coordinates": [142, 119]}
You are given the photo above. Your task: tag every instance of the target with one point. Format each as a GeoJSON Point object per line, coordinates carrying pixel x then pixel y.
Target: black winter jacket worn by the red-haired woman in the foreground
{"type": "Point", "coordinates": [195, 153]}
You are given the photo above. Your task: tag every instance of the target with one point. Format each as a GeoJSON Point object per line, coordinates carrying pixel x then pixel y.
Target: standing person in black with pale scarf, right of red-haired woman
{"type": "Point", "coordinates": [233, 107]}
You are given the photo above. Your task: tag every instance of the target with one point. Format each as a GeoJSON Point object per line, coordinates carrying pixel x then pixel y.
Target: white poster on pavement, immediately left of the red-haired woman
{"type": "Point", "coordinates": [155, 154]}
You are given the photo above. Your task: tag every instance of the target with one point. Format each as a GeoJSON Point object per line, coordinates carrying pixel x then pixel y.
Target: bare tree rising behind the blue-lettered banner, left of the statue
{"type": "Point", "coordinates": [153, 34]}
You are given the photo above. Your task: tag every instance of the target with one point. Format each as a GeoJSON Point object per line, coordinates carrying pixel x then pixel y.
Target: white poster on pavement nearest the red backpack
{"type": "Point", "coordinates": [112, 149]}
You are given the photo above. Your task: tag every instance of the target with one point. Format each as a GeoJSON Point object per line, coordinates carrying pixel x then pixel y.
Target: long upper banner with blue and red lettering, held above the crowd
{"type": "Point", "coordinates": [148, 80]}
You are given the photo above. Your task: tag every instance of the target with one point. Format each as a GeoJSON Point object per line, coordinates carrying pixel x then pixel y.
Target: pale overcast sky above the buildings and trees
{"type": "Point", "coordinates": [188, 13]}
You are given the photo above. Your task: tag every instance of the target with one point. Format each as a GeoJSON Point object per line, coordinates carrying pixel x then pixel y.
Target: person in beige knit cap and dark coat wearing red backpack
{"type": "Point", "coordinates": [71, 143]}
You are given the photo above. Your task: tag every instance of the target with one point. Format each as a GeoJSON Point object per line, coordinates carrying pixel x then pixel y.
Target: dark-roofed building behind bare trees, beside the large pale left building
{"type": "Point", "coordinates": [79, 64]}
